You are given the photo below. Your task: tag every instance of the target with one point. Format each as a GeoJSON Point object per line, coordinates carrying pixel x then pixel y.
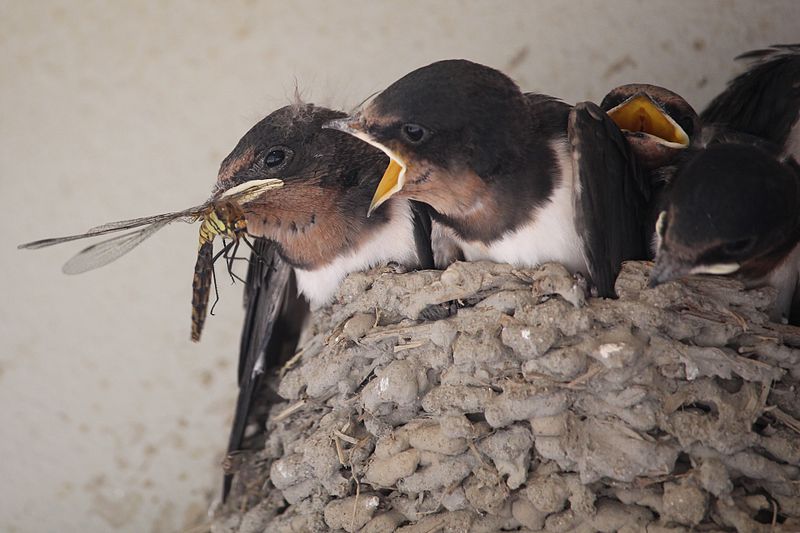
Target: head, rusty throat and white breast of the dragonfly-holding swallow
{"type": "Point", "coordinates": [318, 219]}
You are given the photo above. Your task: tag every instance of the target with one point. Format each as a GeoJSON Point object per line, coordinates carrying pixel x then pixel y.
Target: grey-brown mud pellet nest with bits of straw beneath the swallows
{"type": "Point", "coordinates": [492, 398]}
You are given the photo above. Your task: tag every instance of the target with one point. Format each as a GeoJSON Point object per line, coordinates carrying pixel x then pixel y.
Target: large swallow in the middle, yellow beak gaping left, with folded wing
{"type": "Point", "coordinates": [518, 178]}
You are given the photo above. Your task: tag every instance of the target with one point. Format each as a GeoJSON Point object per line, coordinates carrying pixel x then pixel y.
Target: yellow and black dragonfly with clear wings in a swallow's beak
{"type": "Point", "coordinates": [221, 215]}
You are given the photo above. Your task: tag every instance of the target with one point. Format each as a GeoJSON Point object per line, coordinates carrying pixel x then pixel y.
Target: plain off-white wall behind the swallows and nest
{"type": "Point", "coordinates": [110, 419]}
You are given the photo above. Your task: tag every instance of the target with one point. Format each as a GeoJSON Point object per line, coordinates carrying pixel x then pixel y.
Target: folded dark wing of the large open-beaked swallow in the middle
{"type": "Point", "coordinates": [611, 195]}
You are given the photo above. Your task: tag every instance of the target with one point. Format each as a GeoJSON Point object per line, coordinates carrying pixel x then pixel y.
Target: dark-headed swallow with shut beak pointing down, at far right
{"type": "Point", "coordinates": [734, 209]}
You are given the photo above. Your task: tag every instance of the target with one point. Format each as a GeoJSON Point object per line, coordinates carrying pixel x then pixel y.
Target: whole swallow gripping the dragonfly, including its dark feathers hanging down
{"type": "Point", "coordinates": [313, 232]}
